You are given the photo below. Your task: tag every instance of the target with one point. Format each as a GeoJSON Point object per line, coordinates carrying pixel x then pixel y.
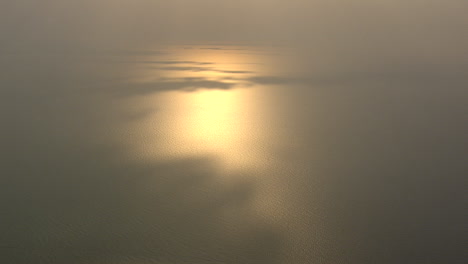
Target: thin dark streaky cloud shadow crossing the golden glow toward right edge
{"type": "Point", "coordinates": [384, 77]}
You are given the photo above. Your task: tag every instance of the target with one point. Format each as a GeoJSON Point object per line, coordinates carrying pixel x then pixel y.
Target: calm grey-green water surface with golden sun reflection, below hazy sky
{"type": "Point", "coordinates": [229, 154]}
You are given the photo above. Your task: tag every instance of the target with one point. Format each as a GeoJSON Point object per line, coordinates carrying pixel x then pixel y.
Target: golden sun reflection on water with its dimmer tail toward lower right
{"type": "Point", "coordinates": [204, 107]}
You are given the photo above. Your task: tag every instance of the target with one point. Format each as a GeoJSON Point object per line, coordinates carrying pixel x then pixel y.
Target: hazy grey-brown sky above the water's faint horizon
{"type": "Point", "coordinates": [423, 25]}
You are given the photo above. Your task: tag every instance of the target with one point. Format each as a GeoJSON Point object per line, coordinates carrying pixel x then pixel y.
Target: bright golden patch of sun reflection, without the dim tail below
{"type": "Point", "coordinates": [211, 110]}
